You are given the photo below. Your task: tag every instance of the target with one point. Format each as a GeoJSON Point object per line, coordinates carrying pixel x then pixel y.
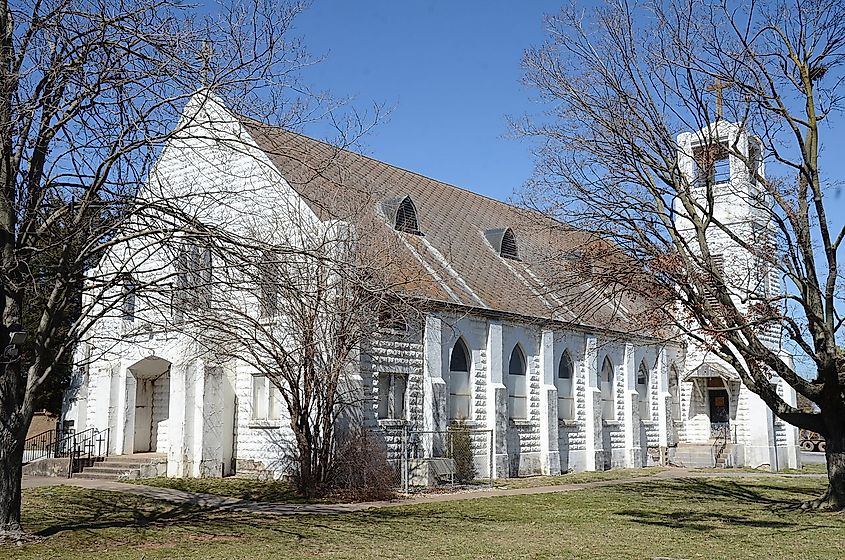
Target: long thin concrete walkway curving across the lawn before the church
{"type": "Point", "coordinates": [234, 504]}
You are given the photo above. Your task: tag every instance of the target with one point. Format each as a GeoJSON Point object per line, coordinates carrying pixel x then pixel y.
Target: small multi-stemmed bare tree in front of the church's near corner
{"type": "Point", "coordinates": [298, 301]}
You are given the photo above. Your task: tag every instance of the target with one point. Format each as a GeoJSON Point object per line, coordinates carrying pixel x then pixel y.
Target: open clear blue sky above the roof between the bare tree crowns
{"type": "Point", "coordinates": [449, 72]}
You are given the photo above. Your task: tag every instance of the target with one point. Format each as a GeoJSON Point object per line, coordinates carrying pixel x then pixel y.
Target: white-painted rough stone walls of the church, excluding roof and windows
{"type": "Point", "coordinates": [156, 392]}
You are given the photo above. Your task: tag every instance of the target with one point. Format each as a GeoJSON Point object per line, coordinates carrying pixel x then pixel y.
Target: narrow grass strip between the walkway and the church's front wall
{"type": "Point", "coordinates": [277, 491]}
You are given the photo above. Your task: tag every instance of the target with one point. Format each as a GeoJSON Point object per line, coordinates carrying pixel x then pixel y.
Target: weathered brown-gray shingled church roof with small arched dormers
{"type": "Point", "coordinates": [454, 260]}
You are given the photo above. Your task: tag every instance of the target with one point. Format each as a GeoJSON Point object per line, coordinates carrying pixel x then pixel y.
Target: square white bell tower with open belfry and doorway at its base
{"type": "Point", "coordinates": [722, 172]}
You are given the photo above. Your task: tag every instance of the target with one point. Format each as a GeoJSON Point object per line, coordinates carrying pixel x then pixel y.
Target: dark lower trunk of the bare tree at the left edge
{"type": "Point", "coordinates": [12, 438]}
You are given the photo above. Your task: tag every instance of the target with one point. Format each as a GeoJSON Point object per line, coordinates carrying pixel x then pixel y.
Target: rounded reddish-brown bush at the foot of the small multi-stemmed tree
{"type": "Point", "coordinates": [361, 471]}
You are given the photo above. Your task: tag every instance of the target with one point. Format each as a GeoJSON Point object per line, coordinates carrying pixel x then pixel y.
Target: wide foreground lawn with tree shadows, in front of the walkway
{"type": "Point", "coordinates": [700, 518]}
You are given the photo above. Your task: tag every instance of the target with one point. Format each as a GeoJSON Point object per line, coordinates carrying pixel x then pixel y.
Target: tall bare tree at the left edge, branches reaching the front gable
{"type": "Point", "coordinates": [91, 91]}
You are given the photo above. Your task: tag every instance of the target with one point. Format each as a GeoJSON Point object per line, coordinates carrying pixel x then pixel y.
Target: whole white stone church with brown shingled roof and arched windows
{"type": "Point", "coordinates": [501, 343]}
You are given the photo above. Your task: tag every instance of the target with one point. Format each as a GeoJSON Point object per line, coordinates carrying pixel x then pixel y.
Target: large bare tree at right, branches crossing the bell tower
{"type": "Point", "coordinates": [750, 84]}
